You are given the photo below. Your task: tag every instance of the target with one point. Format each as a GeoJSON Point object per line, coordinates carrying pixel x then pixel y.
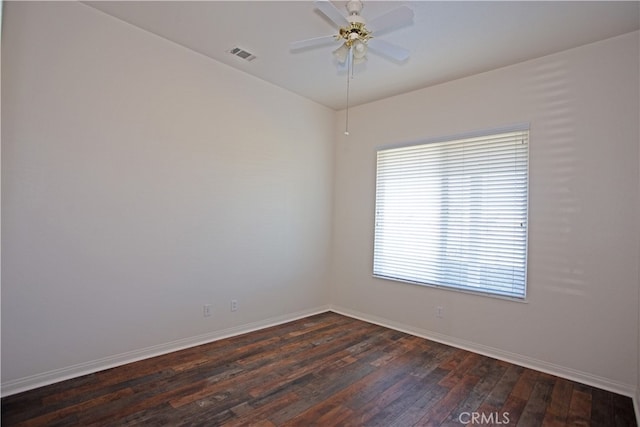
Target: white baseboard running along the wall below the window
{"type": "Point", "coordinates": [517, 359]}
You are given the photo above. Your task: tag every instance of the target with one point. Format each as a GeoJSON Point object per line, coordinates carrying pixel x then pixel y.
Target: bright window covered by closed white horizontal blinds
{"type": "Point", "coordinates": [453, 213]}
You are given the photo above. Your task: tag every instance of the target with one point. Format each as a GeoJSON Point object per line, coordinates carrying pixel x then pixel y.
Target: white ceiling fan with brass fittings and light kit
{"type": "Point", "coordinates": [356, 35]}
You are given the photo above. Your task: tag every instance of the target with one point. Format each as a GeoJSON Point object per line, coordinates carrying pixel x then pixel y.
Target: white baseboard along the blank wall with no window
{"type": "Point", "coordinates": [50, 377]}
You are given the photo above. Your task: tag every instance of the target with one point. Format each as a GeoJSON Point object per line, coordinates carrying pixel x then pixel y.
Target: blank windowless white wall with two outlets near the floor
{"type": "Point", "coordinates": [141, 180]}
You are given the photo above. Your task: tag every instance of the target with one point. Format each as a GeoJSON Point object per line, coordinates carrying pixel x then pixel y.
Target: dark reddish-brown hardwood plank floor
{"type": "Point", "coordinates": [325, 370]}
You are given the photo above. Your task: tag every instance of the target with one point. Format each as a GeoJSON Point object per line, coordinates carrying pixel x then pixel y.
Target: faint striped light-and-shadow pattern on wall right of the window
{"type": "Point", "coordinates": [554, 202]}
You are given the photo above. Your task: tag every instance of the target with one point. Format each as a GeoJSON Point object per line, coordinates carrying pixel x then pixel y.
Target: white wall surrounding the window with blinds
{"type": "Point", "coordinates": [581, 315]}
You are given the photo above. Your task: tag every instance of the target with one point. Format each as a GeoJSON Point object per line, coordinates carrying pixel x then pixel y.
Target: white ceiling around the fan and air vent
{"type": "Point", "coordinates": [447, 40]}
